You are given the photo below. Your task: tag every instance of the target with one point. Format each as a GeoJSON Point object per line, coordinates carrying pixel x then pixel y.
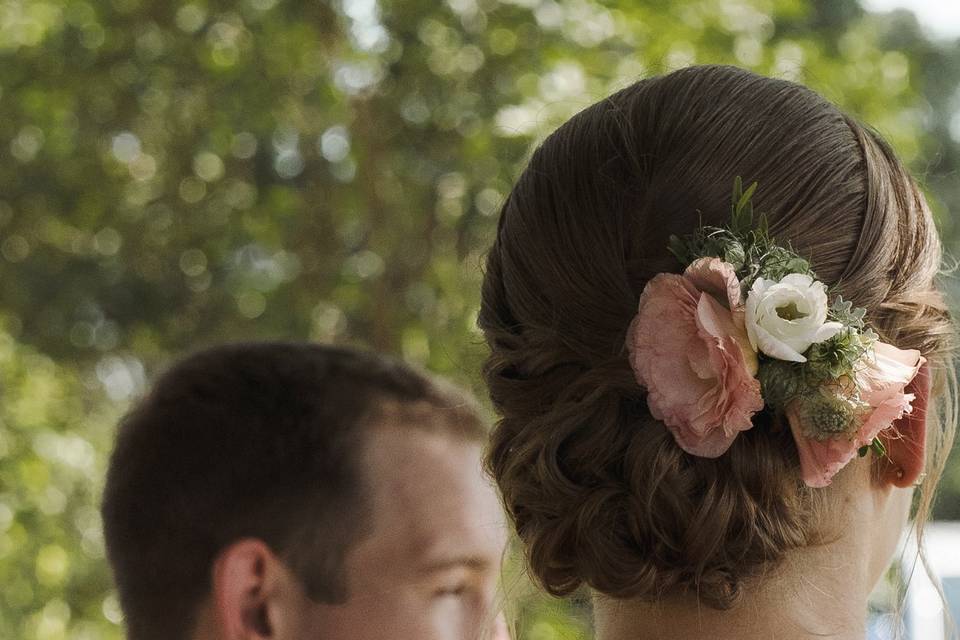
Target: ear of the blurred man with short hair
{"type": "Point", "coordinates": [254, 595]}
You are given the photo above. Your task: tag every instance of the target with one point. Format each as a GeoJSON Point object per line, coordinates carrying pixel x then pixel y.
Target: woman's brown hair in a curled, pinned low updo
{"type": "Point", "coordinates": [597, 489]}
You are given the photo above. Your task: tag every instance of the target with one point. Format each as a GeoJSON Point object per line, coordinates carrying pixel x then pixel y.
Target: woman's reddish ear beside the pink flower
{"type": "Point", "coordinates": [906, 442]}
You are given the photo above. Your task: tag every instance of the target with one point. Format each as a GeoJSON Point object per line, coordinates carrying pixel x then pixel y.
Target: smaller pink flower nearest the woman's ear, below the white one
{"type": "Point", "coordinates": [881, 381]}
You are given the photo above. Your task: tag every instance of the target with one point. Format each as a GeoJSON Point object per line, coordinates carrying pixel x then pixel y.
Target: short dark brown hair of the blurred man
{"type": "Point", "coordinates": [255, 440]}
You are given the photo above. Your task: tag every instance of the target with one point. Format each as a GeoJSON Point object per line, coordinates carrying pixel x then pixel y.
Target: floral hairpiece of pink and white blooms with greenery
{"type": "Point", "coordinates": [748, 326]}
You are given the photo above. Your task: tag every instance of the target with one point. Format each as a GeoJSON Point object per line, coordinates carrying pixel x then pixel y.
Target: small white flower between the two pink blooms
{"type": "Point", "coordinates": [784, 318]}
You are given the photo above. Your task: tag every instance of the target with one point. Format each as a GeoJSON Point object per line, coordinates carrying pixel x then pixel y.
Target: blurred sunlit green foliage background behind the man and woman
{"type": "Point", "coordinates": [174, 174]}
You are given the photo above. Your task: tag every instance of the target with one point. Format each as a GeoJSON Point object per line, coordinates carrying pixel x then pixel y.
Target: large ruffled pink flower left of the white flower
{"type": "Point", "coordinates": [689, 349]}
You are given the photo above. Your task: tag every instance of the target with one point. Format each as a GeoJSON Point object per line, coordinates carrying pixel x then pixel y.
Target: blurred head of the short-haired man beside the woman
{"type": "Point", "coordinates": [288, 490]}
